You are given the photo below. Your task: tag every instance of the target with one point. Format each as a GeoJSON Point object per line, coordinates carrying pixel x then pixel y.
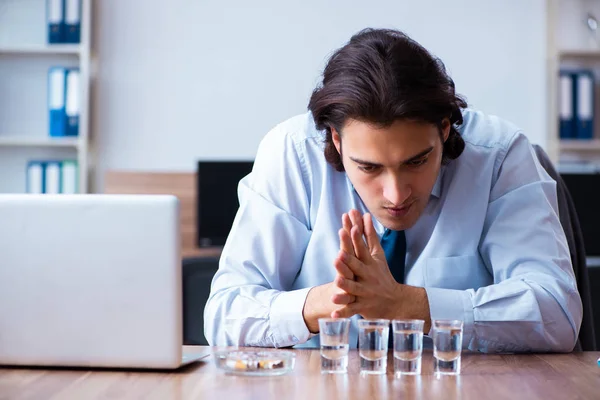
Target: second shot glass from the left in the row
{"type": "Point", "coordinates": [373, 337]}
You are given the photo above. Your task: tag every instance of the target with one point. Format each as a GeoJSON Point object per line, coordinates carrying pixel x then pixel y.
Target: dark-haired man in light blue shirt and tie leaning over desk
{"type": "Point", "coordinates": [389, 156]}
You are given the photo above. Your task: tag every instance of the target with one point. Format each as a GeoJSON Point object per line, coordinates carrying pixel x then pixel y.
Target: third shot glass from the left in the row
{"type": "Point", "coordinates": [408, 346]}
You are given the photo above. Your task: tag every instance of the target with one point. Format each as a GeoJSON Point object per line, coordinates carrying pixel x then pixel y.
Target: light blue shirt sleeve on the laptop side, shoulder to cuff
{"type": "Point", "coordinates": [250, 302]}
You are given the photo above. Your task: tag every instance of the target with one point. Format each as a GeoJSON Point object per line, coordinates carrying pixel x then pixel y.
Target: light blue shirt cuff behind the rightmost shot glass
{"type": "Point", "coordinates": [452, 304]}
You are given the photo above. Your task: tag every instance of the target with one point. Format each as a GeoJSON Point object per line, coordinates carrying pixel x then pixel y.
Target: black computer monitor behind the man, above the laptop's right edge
{"type": "Point", "coordinates": [217, 199]}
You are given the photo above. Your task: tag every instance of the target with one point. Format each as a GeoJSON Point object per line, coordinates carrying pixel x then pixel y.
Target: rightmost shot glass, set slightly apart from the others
{"type": "Point", "coordinates": [447, 346]}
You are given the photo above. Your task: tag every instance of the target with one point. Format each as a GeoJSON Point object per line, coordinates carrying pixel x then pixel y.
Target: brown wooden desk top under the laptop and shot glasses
{"type": "Point", "coordinates": [552, 376]}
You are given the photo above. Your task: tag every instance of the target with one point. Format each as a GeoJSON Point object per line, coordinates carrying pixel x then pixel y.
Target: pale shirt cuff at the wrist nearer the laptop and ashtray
{"type": "Point", "coordinates": [287, 321]}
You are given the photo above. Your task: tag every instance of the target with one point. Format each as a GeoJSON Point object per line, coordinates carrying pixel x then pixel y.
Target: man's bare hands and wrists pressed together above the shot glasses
{"type": "Point", "coordinates": [364, 284]}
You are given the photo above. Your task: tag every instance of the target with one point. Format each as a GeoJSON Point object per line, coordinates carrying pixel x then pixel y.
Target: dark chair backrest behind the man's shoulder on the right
{"type": "Point", "coordinates": [570, 223]}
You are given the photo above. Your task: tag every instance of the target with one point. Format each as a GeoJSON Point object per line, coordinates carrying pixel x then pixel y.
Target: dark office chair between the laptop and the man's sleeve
{"type": "Point", "coordinates": [197, 276]}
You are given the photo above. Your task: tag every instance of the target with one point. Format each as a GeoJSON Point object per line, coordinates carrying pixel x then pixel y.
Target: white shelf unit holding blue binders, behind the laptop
{"type": "Point", "coordinates": [25, 57]}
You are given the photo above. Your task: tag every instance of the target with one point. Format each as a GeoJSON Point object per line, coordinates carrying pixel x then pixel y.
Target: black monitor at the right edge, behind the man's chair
{"type": "Point", "coordinates": [584, 188]}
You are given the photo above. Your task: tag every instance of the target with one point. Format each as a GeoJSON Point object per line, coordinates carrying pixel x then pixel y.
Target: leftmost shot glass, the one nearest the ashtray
{"type": "Point", "coordinates": [333, 335]}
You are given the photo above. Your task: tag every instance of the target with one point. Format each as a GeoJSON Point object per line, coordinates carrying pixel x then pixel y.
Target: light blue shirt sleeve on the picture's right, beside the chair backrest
{"type": "Point", "coordinates": [533, 304]}
